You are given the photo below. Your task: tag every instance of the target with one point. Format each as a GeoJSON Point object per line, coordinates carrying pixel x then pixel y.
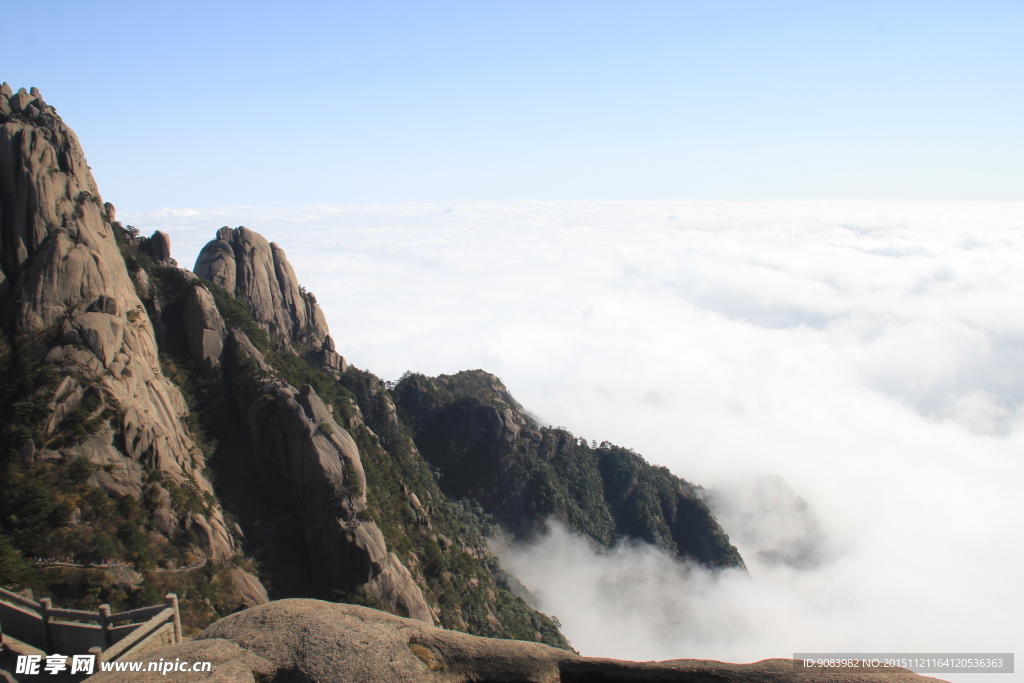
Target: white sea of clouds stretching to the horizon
{"type": "Point", "coordinates": [846, 379]}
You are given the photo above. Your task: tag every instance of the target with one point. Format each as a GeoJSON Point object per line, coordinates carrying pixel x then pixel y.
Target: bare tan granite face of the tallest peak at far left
{"type": "Point", "coordinates": [62, 271]}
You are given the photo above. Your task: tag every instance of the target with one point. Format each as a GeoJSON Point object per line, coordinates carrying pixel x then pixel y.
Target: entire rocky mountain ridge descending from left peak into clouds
{"type": "Point", "coordinates": [179, 418]}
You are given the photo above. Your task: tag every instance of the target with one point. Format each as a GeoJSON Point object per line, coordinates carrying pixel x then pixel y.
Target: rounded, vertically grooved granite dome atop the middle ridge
{"type": "Point", "coordinates": [251, 269]}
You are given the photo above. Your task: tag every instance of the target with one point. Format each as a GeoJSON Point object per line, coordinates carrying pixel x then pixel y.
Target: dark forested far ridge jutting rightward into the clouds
{"type": "Point", "coordinates": [488, 451]}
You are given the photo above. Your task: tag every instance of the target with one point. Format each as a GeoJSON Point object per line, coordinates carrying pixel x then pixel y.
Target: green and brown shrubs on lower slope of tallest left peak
{"type": "Point", "coordinates": [65, 536]}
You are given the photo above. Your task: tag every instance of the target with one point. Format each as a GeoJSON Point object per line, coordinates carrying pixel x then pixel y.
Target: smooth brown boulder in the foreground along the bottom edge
{"type": "Point", "coordinates": [311, 642]}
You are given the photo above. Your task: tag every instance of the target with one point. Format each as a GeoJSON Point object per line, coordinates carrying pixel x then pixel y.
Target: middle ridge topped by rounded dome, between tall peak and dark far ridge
{"type": "Point", "coordinates": [329, 508]}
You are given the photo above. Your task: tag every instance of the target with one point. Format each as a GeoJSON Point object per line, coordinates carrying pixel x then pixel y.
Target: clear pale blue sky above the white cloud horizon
{"type": "Point", "coordinates": [355, 103]}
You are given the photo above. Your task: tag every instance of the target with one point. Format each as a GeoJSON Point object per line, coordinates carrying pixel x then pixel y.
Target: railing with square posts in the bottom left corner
{"type": "Point", "coordinates": [48, 628]}
